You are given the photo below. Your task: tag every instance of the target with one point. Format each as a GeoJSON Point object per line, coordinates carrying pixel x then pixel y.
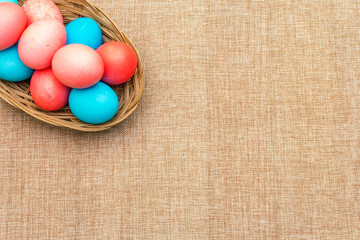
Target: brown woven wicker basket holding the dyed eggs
{"type": "Point", "coordinates": [18, 94]}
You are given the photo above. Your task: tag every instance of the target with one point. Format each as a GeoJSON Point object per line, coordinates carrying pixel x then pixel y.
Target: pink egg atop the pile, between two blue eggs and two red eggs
{"type": "Point", "coordinates": [78, 66]}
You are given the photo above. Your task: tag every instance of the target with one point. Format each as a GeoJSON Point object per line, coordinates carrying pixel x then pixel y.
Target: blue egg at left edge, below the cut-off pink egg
{"type": "Point", "coordinates": [11, 67]}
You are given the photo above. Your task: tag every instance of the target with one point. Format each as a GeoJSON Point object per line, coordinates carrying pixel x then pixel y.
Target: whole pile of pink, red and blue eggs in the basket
{"type": "Point", "coordinates": [67, 65]}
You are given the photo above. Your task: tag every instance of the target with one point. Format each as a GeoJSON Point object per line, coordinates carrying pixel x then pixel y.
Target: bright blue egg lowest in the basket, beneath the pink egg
{"type": "Point", "coordinates": [94, 105]}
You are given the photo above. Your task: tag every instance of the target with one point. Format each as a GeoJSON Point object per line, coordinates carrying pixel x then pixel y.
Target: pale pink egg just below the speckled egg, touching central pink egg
{"type": "Point", "coordinates": [40, 41]}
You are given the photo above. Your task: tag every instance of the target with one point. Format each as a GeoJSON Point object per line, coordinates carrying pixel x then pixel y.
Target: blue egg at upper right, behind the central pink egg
{"type": "Point", "coordinates": [84, 31]}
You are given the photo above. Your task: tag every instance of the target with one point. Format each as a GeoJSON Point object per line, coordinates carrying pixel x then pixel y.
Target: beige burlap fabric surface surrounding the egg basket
{"type": "Point", "coordinates": [248, 129]}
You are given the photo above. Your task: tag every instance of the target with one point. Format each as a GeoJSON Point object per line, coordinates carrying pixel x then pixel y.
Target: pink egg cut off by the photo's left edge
{"type": "Point", "coordinates": [12, 24]}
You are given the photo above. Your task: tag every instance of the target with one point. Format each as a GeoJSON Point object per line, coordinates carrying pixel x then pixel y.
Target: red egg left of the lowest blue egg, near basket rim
{"type": "Point", "coordinates": [48, 92]}
